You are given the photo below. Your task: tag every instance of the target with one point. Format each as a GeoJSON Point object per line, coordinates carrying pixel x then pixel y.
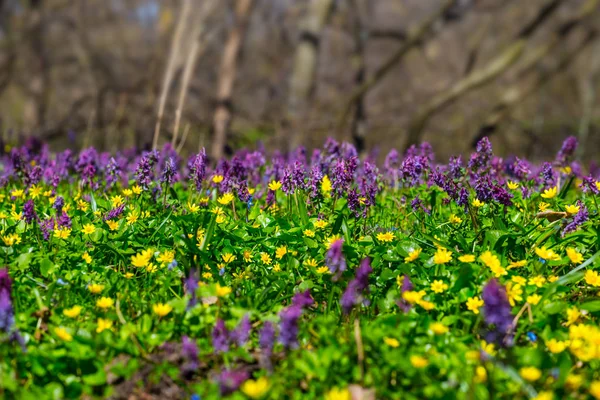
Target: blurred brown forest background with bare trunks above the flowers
{"type": "Point", "coordinates": [228, 73]}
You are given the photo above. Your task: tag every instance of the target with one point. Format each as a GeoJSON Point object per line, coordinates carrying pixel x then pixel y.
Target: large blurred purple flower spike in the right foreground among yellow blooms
{"type": "Point", "coordinates": [497, 313]}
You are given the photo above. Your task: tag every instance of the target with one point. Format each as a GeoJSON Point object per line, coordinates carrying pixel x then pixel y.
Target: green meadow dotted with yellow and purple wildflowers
{"type": "Point", "coordinates": [323, 275]}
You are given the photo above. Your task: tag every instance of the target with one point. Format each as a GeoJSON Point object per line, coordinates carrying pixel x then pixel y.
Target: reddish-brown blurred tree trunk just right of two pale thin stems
{"type": "Point", "coordinates": [227, 75]}
